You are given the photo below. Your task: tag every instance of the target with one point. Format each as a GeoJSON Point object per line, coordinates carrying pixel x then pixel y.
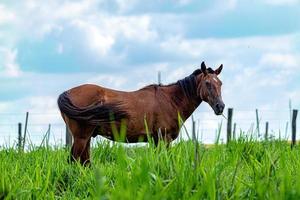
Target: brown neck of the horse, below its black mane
{"type": "Point", "coordinates": [184, 105]}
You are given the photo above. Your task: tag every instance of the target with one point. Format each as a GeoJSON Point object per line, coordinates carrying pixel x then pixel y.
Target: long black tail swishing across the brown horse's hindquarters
{"type": "Point", "coordinates": [93, 114]}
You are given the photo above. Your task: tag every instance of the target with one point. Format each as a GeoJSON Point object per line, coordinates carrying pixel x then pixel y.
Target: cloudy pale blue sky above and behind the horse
{"type": "Point", "coordinates": [47, 47]}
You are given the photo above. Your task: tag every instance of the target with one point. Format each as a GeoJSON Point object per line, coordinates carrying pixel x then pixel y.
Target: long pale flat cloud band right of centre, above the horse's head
{"type": "Point", "coordinates": [221, 47]}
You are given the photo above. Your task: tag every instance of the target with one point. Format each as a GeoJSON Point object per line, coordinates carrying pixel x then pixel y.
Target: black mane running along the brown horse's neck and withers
{"type": "Point", "coordinates": [187, 84]}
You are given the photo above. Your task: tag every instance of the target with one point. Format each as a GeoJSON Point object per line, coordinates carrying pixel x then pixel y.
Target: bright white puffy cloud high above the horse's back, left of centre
{"type": "Point", "coordinates": [102, 31]}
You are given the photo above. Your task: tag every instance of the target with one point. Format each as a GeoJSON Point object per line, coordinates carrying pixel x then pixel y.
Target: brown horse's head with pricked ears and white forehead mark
{"type": "Point", "coordinates": [209, 88]}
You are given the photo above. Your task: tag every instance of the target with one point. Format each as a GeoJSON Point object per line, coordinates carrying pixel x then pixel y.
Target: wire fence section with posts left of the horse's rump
{"type": "Point", "coordinates": [25, 129]}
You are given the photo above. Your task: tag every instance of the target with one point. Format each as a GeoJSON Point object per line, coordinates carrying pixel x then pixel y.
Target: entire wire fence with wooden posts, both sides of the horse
{"type": "Point", "coordinates": [34, 130]}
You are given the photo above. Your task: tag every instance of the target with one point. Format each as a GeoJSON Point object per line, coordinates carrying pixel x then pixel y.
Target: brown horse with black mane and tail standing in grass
{"type": "Point", "coordinates": [91, 110]}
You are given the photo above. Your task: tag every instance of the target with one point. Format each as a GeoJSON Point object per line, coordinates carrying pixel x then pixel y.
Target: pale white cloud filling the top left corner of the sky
{"type": "Point", "coordinates": [45, 18]}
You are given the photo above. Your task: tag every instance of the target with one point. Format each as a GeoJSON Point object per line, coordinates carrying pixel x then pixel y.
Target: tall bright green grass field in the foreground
{"type": "Point", "coordinates": [240, 170]}
